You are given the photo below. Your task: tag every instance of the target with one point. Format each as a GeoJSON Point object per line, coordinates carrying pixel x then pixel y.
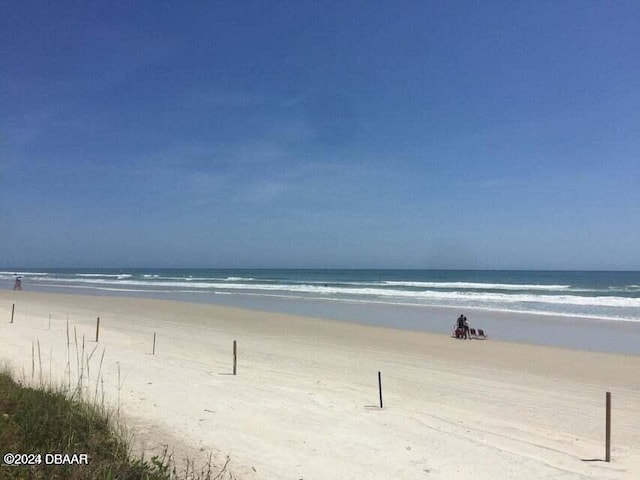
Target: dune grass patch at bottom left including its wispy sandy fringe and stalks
{"type": "Point", "coordinates": [46, 419]}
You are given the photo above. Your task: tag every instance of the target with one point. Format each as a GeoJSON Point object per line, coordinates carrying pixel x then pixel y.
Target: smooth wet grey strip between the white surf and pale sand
{"type": "Point", "coordinates": [573, 332]}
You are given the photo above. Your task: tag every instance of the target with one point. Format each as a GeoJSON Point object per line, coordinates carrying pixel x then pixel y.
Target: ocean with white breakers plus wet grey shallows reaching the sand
{"type": "Point", "coordinates": [606, 304]}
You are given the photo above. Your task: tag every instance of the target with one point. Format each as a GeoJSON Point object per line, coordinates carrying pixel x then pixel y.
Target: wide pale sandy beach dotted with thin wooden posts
{"type": "Point", "coordinates": [304, 404]}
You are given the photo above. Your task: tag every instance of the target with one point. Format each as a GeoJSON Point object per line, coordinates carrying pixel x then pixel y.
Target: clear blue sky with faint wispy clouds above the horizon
{"type": "Point", "coordinates": [415, 134]}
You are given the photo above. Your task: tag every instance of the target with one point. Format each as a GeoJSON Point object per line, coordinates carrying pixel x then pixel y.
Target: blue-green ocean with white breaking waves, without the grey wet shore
{"type": "Point", "coordinates": [595, 295]}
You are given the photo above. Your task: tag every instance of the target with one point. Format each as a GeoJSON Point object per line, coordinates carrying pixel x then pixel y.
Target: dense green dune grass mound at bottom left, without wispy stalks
{"type": "Point", "coordinates": [49, 420]}
